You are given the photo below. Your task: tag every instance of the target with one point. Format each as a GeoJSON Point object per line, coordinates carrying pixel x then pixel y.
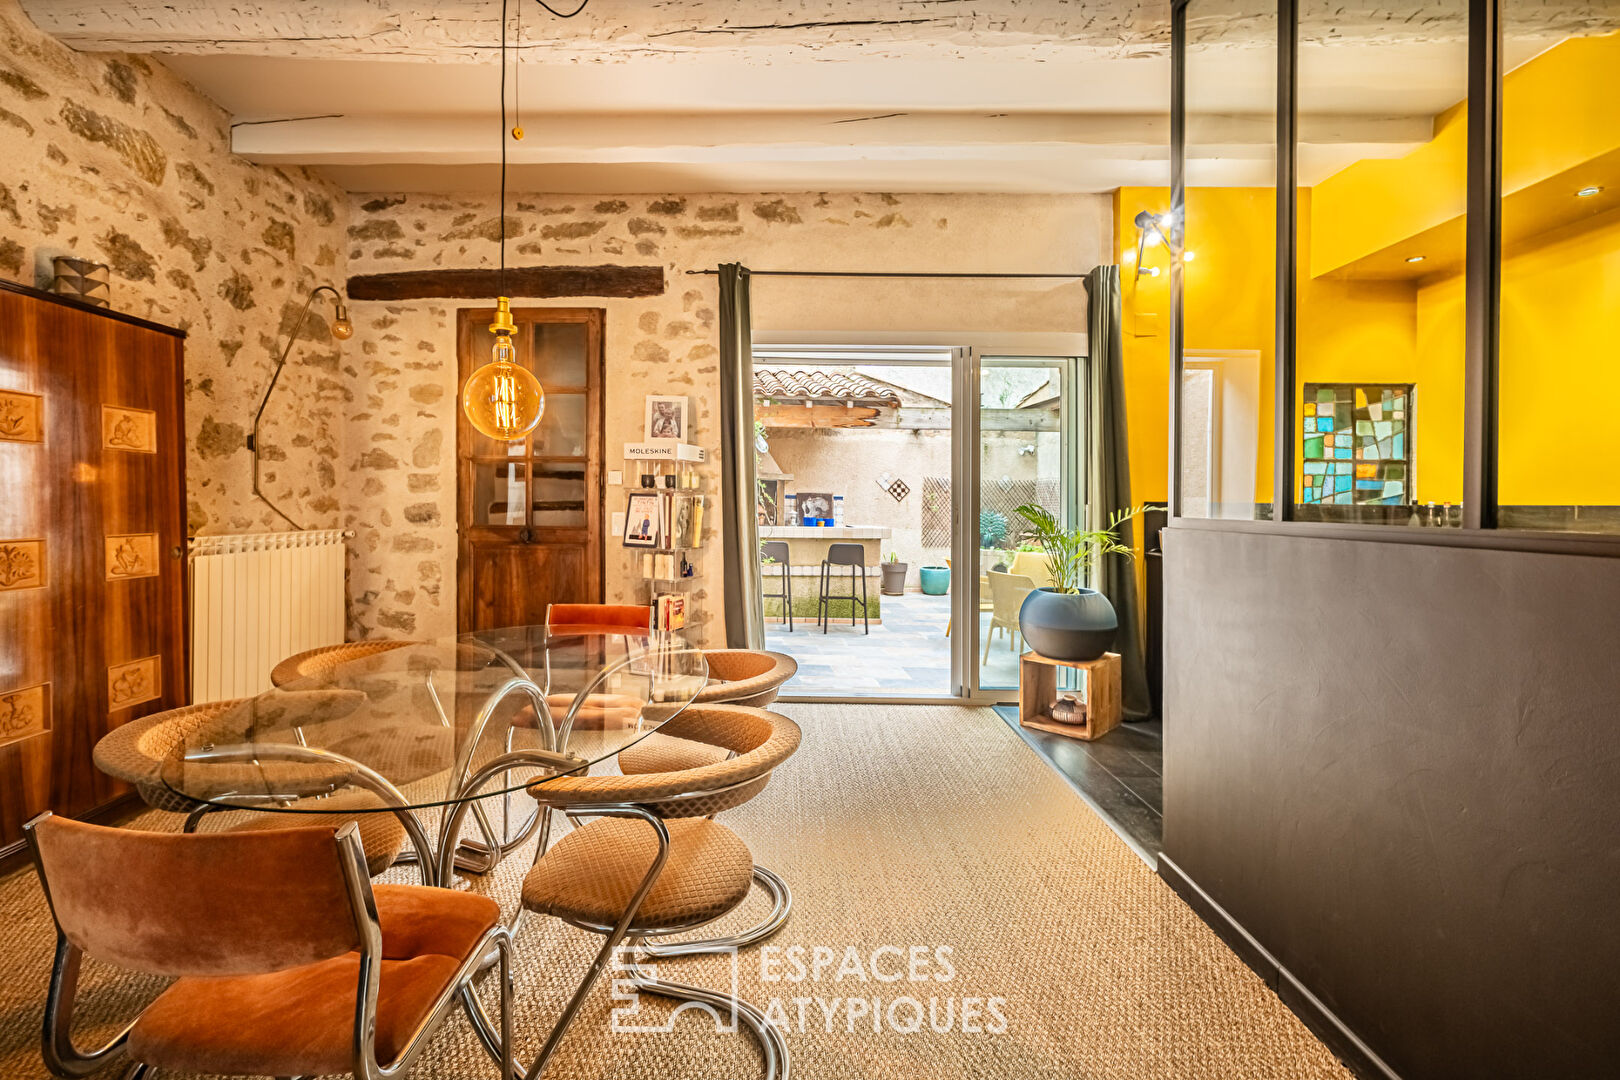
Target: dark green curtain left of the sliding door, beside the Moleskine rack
{"type": "Point", "coordinates": [740, 524]}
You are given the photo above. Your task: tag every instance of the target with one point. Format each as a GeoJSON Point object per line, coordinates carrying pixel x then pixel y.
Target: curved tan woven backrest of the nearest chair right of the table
{"type": "Point", "coordinates": [762, 741]}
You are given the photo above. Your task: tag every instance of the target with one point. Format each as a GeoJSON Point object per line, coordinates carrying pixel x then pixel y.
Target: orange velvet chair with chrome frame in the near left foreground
{"type": "Point", "coordinates": [286, 961]}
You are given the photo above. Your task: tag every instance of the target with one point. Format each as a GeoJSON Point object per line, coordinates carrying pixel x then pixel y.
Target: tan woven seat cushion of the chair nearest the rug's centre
{"type": "Point", "coordinates": [590, 877]}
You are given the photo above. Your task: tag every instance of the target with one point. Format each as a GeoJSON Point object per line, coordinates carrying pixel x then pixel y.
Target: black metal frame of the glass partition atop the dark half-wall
{"type": "Point", "coordinates": [1483, 291]}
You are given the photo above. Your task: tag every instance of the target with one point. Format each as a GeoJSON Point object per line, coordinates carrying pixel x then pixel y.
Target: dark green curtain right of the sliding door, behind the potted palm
{"type": "Point", "coordinates": [1109, 480]}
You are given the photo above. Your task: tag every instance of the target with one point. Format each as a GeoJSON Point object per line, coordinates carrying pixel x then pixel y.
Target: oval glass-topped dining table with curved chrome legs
{"type": "Point", "coordinates": [459, 726]}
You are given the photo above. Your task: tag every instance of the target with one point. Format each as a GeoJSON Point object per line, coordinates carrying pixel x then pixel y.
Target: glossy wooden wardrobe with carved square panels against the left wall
{"type": "Point", "coordinates": [93, 532]}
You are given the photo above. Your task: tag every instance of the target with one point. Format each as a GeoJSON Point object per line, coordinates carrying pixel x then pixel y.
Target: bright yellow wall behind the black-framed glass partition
{"type": "Point", "coordinates": [1561, 291]}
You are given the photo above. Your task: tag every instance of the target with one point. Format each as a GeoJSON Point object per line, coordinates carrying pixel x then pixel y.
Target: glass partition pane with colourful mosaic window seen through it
{"type": "Point", "coordinates": [1381, 239]}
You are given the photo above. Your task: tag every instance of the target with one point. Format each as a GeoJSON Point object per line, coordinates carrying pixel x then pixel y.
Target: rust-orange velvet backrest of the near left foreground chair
{"type": "Point", "coordinates": [200, 904]}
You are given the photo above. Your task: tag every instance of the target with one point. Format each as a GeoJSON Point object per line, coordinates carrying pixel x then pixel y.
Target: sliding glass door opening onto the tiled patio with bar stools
{"type": "Point", "coordinates": [893, 474]}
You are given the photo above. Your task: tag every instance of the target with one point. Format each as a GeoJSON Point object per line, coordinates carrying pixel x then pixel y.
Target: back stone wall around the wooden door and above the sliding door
{"type": "Point", "coordinates": [403, 365]}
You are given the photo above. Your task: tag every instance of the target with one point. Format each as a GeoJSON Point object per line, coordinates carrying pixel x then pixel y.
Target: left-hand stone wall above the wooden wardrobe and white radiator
{"type": "Point", "coordinates": [116, 159]}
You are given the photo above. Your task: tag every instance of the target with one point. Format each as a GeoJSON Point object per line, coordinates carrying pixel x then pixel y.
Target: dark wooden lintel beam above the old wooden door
{"type": "Point", "coordinates": [521, 283]}
